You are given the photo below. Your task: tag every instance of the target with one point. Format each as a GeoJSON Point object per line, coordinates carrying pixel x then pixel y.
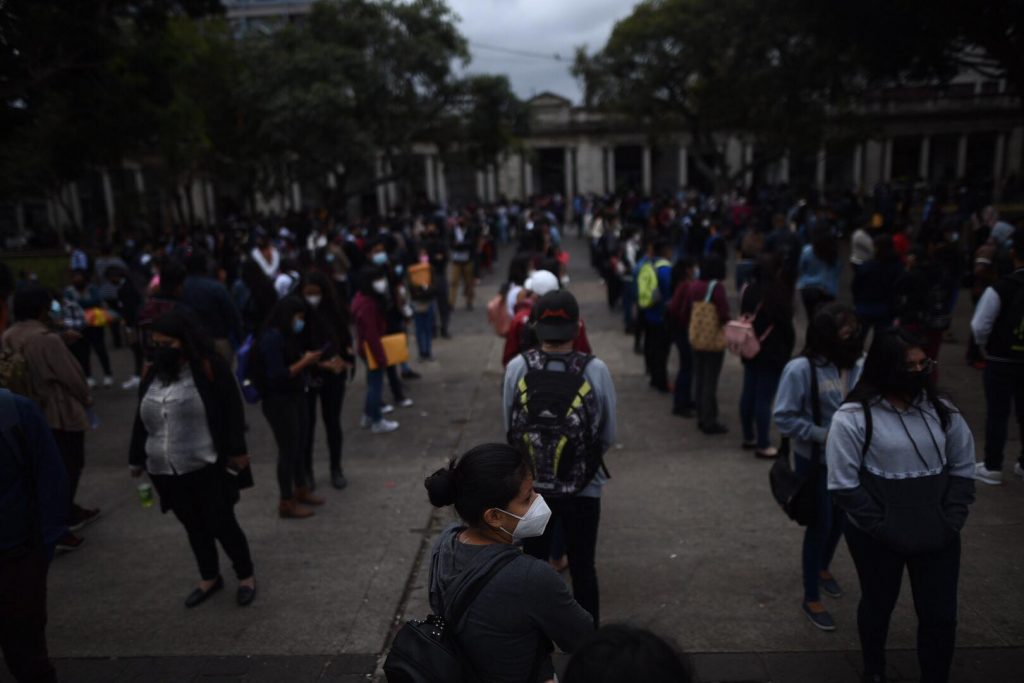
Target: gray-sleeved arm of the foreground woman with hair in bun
{"type": "Point", "coordinates": [551, 608]}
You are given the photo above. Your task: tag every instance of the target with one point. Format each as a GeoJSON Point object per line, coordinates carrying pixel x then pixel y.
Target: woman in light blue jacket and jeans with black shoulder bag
{"type": "Point", "coordinates": [833, 350]}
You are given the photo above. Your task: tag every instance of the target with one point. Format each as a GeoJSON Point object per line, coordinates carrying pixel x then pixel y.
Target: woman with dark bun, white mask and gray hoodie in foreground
{"type": "Point", "coordinates": [507, 629]}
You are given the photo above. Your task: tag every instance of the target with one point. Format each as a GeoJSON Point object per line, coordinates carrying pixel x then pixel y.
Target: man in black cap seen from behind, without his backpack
{"type": "Point", "coordinates": [558, 326]}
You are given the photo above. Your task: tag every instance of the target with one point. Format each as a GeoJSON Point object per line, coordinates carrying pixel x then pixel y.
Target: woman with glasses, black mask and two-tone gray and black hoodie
{"type": "Point", "coordinates": [902, 465]}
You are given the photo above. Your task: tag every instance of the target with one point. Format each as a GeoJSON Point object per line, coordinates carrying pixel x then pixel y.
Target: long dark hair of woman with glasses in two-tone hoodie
{"type": "Point", "coordinates": [886, 362]}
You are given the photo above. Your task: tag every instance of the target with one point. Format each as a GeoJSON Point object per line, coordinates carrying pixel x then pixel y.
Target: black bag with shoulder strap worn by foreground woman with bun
{"type": "Point", "coordinates": [426, 652]}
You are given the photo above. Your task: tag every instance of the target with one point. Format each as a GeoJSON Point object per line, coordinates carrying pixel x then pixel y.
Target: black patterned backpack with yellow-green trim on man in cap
{"type": "Point", "coordinates": [556, 421]}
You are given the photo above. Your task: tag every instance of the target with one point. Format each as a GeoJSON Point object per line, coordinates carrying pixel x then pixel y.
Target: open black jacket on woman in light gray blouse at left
{"type": "Point", "coordinates": [225, 412]}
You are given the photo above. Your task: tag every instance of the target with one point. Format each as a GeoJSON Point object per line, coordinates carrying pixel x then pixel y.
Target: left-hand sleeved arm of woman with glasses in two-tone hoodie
{"type": "Point", "coordinates": [843, 456]}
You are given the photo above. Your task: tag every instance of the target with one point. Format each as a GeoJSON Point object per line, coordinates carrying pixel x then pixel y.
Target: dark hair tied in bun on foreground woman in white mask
{"type": "Point", "coordinates": [485, 478]}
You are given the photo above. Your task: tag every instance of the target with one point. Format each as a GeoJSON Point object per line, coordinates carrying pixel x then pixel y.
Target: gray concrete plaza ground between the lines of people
{"type": "Point", "coordinates": [692, 543]}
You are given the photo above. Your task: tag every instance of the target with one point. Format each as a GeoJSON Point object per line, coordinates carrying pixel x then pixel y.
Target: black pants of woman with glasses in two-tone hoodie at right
{"type": "Point", "coordinates": [933, 581]}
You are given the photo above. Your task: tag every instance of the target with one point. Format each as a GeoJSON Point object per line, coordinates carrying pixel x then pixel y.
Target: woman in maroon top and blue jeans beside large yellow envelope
{"type": "Point", "coordinates": [371, 325]}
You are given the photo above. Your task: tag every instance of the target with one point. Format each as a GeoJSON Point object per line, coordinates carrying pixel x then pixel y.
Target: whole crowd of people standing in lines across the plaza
{"type": "Point", "coordinates": [285, 316]}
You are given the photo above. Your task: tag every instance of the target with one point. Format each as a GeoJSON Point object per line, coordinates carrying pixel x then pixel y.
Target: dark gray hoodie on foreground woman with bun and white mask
{"type": "Point", "coordinates": [525, 607]}
